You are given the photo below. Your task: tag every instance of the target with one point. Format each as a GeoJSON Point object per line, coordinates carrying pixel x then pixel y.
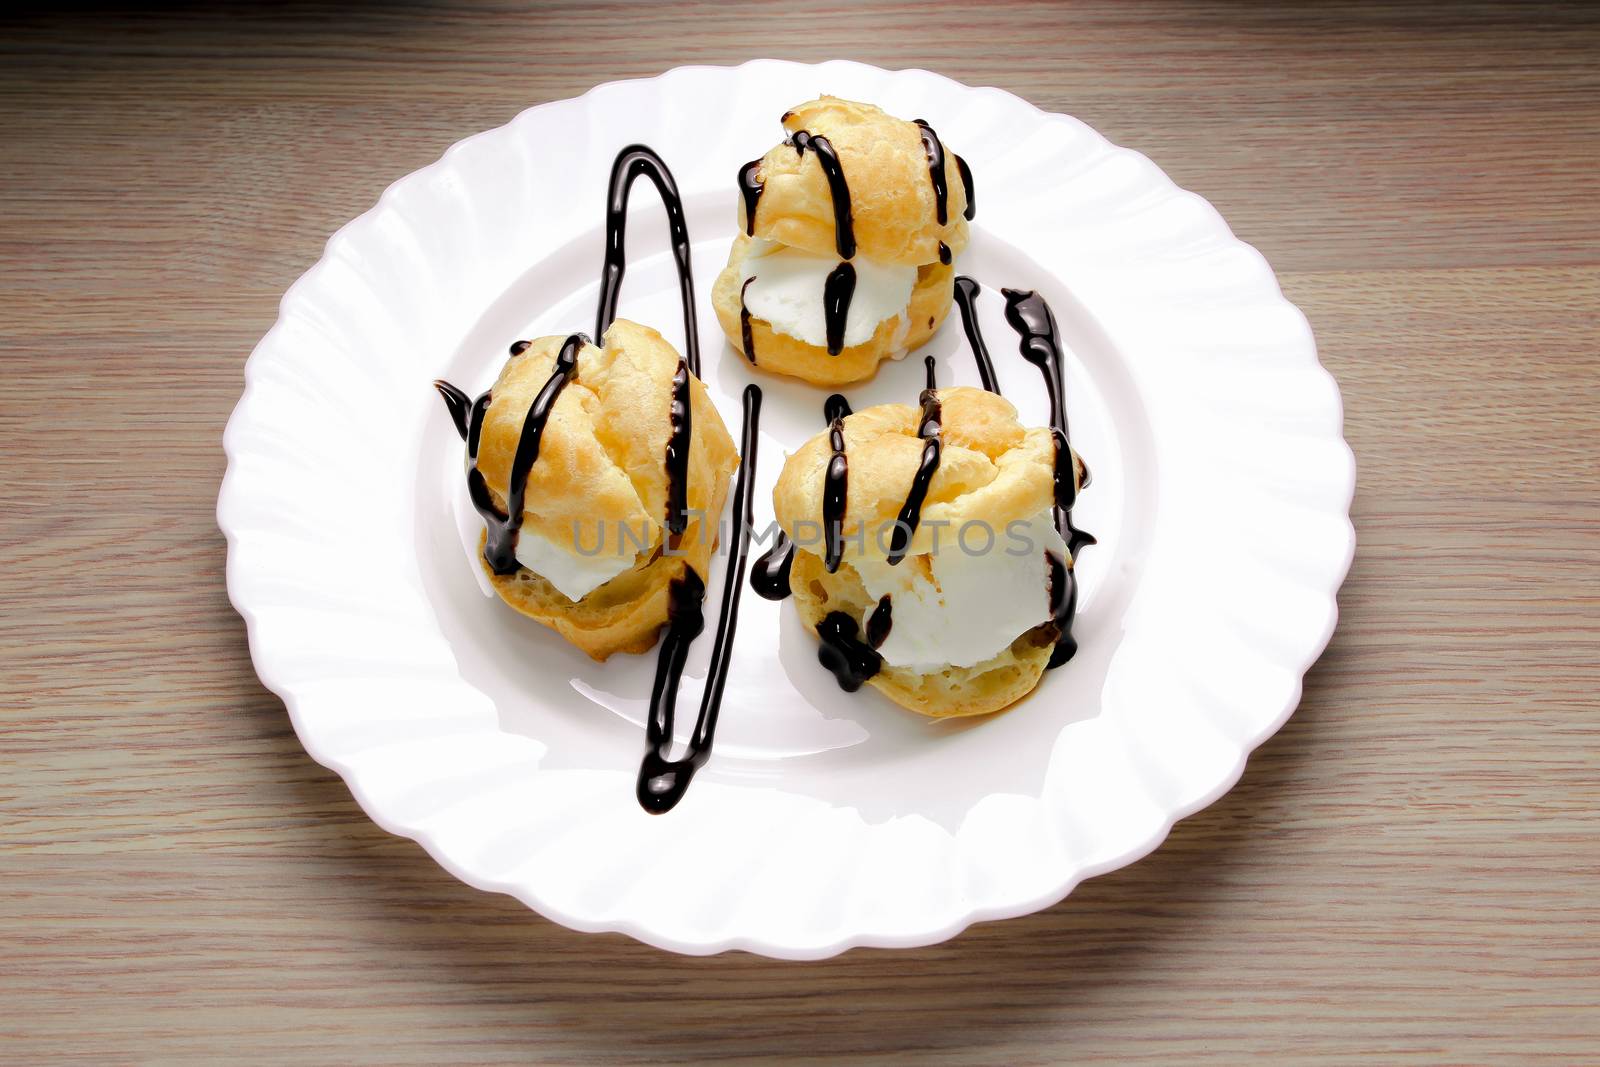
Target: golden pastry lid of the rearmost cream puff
{"type": "Point", "coordinates": [890, 191]}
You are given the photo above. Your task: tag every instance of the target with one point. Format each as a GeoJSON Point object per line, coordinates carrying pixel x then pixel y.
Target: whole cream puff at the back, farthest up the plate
{"type": "Point", "coordinates": [850, 230]}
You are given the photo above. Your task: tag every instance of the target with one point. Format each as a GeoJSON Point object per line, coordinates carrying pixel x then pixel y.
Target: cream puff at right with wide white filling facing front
{"type": "Point", "coordinates": [927, 554]}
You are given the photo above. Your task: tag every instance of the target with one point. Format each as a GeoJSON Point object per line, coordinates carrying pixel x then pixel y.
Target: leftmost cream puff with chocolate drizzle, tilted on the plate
{"type": "Point", "coordinates": [593, 505]}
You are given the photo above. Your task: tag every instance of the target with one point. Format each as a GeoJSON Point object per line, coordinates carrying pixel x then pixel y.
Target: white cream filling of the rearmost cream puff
{"type": "Point", "coordinates": [788, 292]}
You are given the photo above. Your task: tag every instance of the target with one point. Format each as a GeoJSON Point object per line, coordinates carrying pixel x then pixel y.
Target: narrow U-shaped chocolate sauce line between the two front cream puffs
{"type": "Point", "coordinates": [662, 780]}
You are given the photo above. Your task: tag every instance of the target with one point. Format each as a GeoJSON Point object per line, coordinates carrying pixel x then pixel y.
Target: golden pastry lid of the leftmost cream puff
{"type": "Point", "coordinates": [602, 458]}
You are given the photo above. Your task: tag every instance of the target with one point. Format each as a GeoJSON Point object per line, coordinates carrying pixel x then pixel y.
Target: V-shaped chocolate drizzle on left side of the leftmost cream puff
{"type": "Point", "coordinates": [500, 549]}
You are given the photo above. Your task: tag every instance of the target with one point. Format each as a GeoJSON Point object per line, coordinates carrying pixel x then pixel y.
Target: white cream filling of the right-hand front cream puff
{"type": "Point", "coordinates": [977, 602]}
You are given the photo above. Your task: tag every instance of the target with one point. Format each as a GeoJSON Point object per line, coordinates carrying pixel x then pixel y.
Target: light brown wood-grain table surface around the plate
{"type": "Point", "coordinates": [1410, 871]}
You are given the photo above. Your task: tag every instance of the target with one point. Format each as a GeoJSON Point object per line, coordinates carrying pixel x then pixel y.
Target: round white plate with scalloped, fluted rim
{"type": "Point", "coordinates": [823, 821]}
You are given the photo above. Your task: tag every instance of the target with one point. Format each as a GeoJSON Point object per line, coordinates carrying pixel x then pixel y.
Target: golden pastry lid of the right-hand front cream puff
{"type": "Point", "coordinates": [991, 470]}
